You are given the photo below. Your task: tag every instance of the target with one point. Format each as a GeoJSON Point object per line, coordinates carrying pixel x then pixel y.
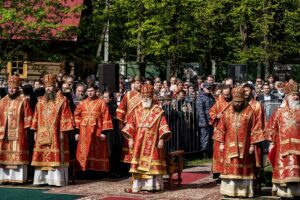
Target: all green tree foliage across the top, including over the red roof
{"type": "Point", "coordinates": [258, 32]}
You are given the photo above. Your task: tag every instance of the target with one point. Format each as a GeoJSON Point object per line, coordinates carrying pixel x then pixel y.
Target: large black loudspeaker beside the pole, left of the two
{"type": "Point", "coordinates": [108, 75]}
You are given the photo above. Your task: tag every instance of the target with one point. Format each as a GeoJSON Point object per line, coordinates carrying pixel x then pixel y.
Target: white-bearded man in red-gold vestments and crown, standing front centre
{"type": "Point", "coordinates": [146, 131]}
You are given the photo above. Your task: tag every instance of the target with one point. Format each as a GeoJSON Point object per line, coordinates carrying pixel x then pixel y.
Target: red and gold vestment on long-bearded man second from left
{"type": "Point", "coordinates": [51, 121]}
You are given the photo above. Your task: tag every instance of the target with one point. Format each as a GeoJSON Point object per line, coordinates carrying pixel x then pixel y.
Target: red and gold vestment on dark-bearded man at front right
{"type": "Point", "coordinates": [237, 131]}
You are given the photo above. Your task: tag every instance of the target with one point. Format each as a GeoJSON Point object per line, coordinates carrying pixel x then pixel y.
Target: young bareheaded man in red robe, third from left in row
{"type": "Point", "coordinates": [92, 118]}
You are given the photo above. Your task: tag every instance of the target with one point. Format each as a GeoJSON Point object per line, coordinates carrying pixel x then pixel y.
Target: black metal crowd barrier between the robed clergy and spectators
{"type": "Point", "coordinates": [183, 122]}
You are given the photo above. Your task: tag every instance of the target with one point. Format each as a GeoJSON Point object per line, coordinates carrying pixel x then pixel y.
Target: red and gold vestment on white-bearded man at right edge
{"type": "Point", "coordinates": [284, 131]}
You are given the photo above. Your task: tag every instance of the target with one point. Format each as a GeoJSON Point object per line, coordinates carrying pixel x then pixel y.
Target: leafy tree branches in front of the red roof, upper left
{"type": "Point", "coordinates": [24, 24]}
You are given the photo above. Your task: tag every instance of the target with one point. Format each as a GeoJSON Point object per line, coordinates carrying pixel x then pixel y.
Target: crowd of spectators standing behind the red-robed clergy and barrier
{"type": "Point", "coordinates": [176, 97]}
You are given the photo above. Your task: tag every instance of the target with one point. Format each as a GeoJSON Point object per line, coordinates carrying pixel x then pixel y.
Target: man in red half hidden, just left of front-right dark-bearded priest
{"type": "Point", "coordinates": [222, 103]}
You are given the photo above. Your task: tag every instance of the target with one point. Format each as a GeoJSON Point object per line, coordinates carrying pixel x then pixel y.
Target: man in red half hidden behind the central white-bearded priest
{"type": "Point", "coordinates": [130, 101]}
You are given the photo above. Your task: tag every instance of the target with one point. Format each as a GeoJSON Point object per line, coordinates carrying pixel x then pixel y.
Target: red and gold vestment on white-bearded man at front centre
{"type": "Point", "coordinates": [146, 127]}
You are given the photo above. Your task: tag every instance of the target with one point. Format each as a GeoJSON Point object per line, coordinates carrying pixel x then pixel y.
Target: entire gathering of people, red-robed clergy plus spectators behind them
{"type": "Point", "coordinates": [50, 121]}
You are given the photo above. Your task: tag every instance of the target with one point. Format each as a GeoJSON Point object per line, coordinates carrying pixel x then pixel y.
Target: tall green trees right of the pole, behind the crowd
{"type": "Point", "coordinates": [262, 32]}
